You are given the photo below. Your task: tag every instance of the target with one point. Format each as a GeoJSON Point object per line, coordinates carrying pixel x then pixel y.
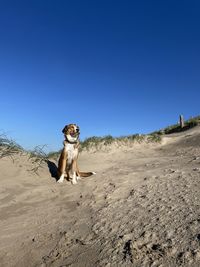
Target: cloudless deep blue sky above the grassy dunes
{"type": "Point", "coordinates": [112, 67]}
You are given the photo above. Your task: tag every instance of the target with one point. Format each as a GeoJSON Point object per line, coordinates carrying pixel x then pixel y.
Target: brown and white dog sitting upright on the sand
{"type": "Point", "coordinates": [67, 163]}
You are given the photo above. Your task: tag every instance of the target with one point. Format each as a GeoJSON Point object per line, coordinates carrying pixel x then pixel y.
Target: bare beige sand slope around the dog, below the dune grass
{"type": "Point", "coordinates": [141, 209]}
